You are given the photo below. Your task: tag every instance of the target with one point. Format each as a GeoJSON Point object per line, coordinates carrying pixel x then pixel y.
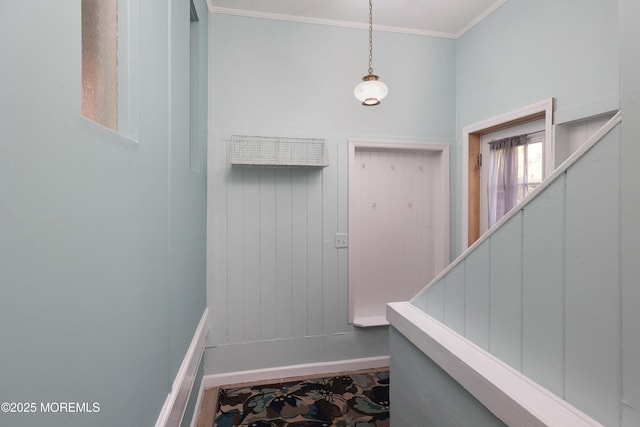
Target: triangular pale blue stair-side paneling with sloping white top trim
{"type": "Point", "coordinates": [540, 288]}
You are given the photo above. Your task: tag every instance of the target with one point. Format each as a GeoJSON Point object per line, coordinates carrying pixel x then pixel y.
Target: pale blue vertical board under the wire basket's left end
{"type": "Point", "coordinates": [235, 256]}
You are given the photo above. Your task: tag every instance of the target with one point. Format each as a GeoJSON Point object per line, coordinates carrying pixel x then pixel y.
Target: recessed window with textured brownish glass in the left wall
{"type": "Point", "coordinates": [109, 75]}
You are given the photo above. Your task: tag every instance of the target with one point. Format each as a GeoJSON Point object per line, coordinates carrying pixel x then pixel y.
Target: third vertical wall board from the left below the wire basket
{"type": "Point", "coordinates": [268, 276]}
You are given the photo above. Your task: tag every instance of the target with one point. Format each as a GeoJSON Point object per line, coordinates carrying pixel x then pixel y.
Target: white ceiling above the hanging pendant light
{"type": "Point", "coordinates": [442, 18]}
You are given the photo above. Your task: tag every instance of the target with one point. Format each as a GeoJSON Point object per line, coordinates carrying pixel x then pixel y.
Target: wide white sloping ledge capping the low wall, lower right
{"type": "Point", "coordinates": [508, 394]}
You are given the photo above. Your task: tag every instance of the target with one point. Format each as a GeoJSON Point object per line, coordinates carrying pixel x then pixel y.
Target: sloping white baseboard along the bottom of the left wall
{"type": "Point", "coordinates": [176, 402]}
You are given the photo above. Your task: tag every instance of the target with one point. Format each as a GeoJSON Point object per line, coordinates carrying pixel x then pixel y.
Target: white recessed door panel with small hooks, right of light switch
{"type": "Point", "coordinates": [398, 224]}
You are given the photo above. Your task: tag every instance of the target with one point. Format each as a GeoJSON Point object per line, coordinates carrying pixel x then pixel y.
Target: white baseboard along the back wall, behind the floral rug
{"type": "Point", "coordinates": [216, 380]}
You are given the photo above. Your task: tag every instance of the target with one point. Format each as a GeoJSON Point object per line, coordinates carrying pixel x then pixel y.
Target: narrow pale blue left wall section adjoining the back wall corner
{"type": "Point", "coordinates": [187, 169]}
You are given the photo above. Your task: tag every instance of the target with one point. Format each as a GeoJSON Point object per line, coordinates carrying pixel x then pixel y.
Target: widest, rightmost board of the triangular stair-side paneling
{"type": "Point", "coordinates": [592, 282]}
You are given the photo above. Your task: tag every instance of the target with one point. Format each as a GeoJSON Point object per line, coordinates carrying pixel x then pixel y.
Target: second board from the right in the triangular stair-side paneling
{"type": "Point", "coordinates": [543, 289]}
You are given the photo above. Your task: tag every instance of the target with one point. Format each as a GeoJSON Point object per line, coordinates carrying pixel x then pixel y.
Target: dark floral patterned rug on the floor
{"type": "Point", "coordinates": [355, 400]}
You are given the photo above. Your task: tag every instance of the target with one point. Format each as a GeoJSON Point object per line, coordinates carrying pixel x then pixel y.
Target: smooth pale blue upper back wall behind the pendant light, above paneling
{"type": "Point", "coordinates": [281, 77]}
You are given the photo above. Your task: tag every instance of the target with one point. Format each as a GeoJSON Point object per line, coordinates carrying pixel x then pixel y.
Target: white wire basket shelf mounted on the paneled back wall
{"type": "Point", "coordinates": [278, 152]}
